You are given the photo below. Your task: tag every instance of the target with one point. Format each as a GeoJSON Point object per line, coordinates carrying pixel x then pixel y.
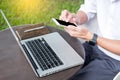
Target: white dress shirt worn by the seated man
{"type": "Point", "coordinates": [108, 15]}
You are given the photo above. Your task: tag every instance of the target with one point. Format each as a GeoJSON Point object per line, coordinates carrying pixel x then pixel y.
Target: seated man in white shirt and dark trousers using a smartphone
{"type": "Point", "coordinates": [102, 51]}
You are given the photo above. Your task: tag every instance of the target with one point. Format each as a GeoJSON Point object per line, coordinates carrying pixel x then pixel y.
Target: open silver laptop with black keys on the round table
{"type": "Point", "coordinates": [48, 53]}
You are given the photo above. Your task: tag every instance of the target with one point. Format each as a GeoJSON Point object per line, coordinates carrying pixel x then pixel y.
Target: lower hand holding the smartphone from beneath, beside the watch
{"type": "Point", "coordinates": [79, 32]}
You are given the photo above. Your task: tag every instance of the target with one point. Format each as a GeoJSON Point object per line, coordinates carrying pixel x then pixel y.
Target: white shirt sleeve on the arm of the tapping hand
{"type": "Point", "coordinates": [89, 7]}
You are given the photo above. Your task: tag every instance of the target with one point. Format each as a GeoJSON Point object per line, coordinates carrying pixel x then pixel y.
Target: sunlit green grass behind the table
{"type": "Point", "coordinates": [20, 13]}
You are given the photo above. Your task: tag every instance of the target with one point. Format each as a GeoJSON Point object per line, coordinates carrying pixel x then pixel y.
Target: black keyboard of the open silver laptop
{"type": "Point", "coordinates": [43, 54]}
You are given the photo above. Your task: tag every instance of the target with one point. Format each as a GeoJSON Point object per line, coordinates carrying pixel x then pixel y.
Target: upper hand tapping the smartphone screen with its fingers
{"type": "Point", "coordinates": [79, 18]}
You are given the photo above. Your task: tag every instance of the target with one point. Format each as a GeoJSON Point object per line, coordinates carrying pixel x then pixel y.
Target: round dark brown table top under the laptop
{"type": "Point", "coordinates": [14, 66]}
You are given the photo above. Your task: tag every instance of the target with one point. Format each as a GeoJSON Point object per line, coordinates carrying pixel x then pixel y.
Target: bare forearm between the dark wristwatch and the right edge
{"type": "Point", "coordinates": [110, 45]}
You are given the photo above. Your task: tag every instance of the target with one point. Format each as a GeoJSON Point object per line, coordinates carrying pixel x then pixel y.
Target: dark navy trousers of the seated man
{"type": "Point", "coordinates": [97, 66]}
